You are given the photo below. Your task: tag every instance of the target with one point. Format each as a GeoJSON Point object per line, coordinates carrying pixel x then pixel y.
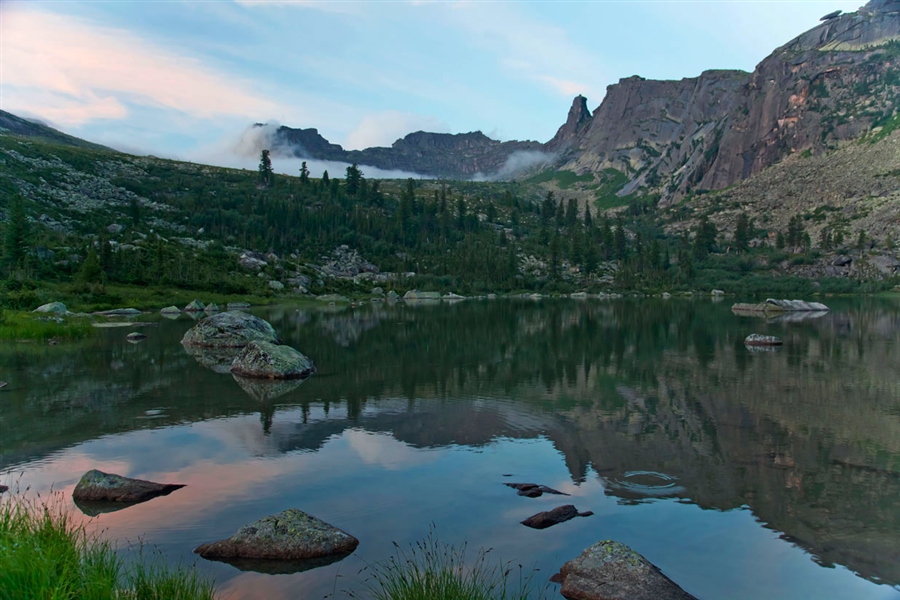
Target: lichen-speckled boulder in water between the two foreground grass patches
{"type": "Point", "coordinates": [289, 535]}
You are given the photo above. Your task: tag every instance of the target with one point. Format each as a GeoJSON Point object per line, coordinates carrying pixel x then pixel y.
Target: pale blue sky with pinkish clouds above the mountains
{"type": "Point", "coordinates": [185, 79]}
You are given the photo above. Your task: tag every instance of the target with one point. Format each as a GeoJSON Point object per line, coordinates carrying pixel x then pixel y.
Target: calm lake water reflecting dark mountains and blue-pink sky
{"type": "Point", "coordinates": [741, 474]}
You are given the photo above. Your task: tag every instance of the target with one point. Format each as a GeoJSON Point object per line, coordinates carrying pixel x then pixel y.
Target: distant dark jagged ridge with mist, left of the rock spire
{"type": "Point", "coordinates": [440, 155]}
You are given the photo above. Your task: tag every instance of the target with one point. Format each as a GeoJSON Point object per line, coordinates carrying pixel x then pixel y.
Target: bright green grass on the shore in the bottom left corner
{"type": "Point", "coordinates": [45, 555]}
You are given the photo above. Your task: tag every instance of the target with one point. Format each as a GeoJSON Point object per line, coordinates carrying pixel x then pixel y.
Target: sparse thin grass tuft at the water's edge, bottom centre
{"type": "Point", "coordinates": [433, 570]}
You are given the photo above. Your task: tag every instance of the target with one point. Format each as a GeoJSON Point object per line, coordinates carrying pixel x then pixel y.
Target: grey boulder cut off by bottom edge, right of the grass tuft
{"type": "Point", "coordinates": [612, 571]}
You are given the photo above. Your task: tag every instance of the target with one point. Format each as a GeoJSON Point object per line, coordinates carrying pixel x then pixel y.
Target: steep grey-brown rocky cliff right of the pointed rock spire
{"type": "Point", "coordinates": [833, 83]}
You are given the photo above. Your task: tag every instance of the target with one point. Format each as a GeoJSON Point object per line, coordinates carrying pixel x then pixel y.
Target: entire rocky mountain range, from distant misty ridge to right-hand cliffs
{"type": "Point", "coordinates": [836, 82]}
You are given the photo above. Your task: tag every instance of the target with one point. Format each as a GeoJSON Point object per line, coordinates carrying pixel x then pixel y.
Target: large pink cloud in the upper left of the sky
{"type": "Point", "coordinates": [71, 71]}
